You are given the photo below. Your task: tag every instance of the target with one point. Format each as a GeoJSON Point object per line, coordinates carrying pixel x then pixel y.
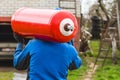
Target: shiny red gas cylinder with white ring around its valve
{"type": "Point", "coordinates": [50, 25]}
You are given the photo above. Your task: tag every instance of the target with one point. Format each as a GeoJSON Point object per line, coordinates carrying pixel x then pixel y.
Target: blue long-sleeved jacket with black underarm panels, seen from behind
{"type": "Point", "coordinates": [46, 60]}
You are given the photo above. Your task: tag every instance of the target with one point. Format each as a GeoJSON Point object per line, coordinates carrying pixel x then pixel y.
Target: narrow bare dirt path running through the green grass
{"type": "Point", "coordinates": [90, 72]}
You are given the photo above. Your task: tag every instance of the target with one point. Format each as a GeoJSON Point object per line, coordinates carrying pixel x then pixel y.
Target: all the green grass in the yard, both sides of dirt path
{"type": "Point", "coordinates": [108, 72]}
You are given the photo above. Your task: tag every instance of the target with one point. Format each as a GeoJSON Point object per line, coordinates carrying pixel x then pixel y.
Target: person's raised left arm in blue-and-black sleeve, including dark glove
{"type": "Point", "coordinates": [21, 55]}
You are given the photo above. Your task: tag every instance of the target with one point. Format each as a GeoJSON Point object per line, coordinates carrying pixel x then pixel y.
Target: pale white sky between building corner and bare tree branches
{"type": "Point", "coordinates": [86, 4]}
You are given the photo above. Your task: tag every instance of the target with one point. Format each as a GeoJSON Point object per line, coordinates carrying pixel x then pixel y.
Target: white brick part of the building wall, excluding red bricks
{"type": "Point", "coordinates": [8, 7]}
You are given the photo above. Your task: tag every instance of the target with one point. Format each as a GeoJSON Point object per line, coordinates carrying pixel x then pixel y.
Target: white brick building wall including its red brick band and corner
{"type": "Point", "coordinates": [8, 7]}
